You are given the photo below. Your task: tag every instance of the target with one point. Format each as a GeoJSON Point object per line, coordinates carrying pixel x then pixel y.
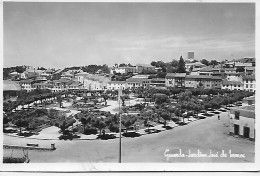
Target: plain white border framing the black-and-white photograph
{"type": "Point", "coordinates": [97, 167]}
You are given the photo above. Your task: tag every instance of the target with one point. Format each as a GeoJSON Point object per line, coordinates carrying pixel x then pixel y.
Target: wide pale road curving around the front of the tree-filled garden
{"type": "Point", "coordinates": [203, 135]}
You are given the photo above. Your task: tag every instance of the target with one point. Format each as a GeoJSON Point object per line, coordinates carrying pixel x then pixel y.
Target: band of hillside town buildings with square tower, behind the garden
{"type": "Point", "coordinates": [229, 75]}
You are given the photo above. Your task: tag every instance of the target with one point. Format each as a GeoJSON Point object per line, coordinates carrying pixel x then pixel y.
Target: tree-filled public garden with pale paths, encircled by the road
{"type": "Point", "coordinates": [159, 107]}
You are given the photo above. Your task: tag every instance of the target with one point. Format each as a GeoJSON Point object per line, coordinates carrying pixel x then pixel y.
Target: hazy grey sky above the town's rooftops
{"type": "Point", "coordinates": [63, 34]}
